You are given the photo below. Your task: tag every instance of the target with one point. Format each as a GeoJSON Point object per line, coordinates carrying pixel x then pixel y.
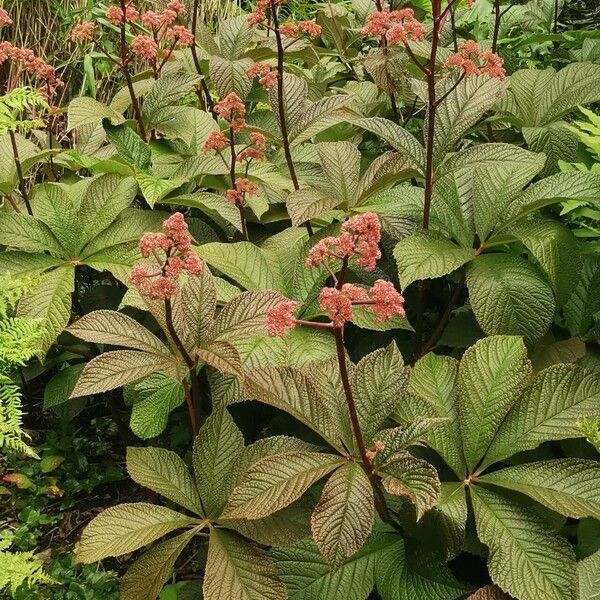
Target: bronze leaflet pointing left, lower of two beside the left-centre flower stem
{"type": "Point", "coordinates": [117, 368]}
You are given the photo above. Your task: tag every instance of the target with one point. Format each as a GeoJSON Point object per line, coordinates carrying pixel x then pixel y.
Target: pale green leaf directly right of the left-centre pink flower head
{"type": "Point", "coordinates": [247, 264]}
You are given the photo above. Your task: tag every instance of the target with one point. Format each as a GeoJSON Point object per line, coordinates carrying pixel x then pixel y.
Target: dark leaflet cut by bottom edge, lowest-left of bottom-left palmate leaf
{"type": "Point", "coordinates": [146, 576]}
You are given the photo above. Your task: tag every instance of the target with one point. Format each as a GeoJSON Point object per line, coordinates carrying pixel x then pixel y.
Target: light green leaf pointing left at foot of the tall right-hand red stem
{"type": "Point", "coordinates": [427, 255]}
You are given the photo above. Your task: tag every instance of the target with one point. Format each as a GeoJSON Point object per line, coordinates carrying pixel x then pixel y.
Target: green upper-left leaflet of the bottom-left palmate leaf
{"type": "Point", "coordinates": [165, 473]}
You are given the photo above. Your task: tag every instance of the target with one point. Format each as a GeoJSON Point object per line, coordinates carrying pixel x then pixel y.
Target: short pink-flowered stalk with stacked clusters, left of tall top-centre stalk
{"type": "Point", "coordinates": [233, 110]}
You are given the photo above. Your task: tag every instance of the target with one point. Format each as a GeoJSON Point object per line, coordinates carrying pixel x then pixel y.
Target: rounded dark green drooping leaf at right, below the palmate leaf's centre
{"type": "Point", "coordinates": [509, 296]}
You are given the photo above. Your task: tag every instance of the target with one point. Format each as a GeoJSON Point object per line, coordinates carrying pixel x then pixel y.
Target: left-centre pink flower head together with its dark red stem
{"type": "Point", "coordinates": [169, 255]}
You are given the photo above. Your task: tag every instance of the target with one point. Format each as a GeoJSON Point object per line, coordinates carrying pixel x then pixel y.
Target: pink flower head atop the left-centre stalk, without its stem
{"type": "Point", "coordinates": [173, 252]}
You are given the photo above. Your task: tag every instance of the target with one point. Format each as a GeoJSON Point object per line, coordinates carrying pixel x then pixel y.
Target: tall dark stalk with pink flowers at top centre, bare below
{"type": "Point", "coordinates": [291, 31]}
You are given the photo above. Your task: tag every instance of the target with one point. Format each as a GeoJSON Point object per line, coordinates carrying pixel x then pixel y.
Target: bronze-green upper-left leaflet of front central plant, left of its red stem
{"type": "Point", "coordinates": [293, 392]}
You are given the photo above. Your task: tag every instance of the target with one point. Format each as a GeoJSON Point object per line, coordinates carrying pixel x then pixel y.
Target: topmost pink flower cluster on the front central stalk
{"type": "Point", "coordinates": [359, 238]}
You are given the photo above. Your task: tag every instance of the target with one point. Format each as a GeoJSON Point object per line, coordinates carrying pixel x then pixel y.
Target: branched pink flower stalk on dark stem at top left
{"type": "Point", "coordinates": [156, 47]}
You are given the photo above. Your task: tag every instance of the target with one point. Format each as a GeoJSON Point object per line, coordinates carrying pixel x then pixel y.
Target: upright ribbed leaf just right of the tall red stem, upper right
{"type": "Point", "coordinates": [471, 99]}
